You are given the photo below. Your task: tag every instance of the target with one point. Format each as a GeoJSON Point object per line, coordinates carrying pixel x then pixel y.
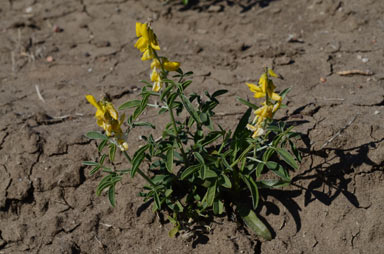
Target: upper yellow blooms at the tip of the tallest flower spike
{"type": "Point", "coordinates": [147, 41]}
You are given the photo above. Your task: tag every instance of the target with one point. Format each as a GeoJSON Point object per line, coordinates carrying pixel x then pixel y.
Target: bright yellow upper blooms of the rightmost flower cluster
{"type": "Point", "coordinates": [265, 86]}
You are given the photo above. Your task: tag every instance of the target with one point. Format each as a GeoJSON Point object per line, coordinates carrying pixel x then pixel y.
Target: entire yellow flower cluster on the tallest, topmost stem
{"type": "Point", "coordinates": [148, 44]}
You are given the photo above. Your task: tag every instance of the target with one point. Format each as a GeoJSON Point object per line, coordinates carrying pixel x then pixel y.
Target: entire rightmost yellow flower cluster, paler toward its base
{"type": "Point", "coordinates": [272, 103]}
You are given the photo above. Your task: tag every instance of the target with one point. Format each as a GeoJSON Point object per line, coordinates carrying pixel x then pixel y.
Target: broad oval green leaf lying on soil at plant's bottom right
{"type": "Point", "coordinates": [253, 222]}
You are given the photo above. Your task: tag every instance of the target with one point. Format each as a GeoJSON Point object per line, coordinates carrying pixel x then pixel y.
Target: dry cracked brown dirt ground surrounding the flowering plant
{"type": "Point", "coordinates": [53, 52]}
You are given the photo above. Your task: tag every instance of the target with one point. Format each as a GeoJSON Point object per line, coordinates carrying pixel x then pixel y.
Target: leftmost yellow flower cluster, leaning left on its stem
{"type": "Point", "coordinates": [108, 119]}
